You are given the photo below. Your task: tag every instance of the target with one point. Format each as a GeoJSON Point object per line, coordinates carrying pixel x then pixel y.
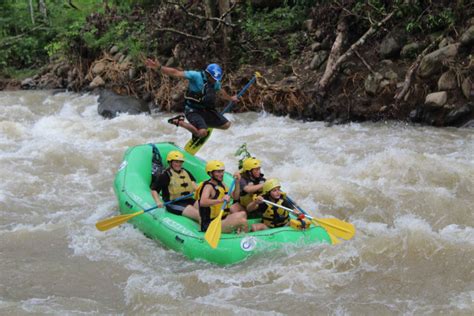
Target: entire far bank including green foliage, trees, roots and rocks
{"type": "Point", "coordinates": [334, 61]}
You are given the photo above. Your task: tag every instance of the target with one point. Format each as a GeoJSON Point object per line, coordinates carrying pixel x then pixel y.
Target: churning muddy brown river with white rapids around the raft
{"type": "Point", "coordinates": [408, 189]}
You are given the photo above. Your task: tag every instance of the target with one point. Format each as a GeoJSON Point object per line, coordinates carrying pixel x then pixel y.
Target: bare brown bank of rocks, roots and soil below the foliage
{"type": "Point", "coordinates": [331, 68]}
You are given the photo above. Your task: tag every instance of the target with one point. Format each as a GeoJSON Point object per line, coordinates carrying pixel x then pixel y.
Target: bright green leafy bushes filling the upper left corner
{"type": "Point", "coordinates": [24, 44]}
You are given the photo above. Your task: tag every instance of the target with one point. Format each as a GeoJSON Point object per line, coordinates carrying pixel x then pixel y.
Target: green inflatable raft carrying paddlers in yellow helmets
{"type": "Point", "coordinates": [132, 187]}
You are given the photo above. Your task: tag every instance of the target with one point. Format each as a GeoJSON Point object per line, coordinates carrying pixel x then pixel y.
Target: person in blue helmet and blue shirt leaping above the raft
{"type": "Point", "coordinates": [200, 98]}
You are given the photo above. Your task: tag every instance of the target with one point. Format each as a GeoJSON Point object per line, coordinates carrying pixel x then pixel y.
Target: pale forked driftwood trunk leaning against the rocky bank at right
{"type": "Point", "coordinates": [336, 59]}
